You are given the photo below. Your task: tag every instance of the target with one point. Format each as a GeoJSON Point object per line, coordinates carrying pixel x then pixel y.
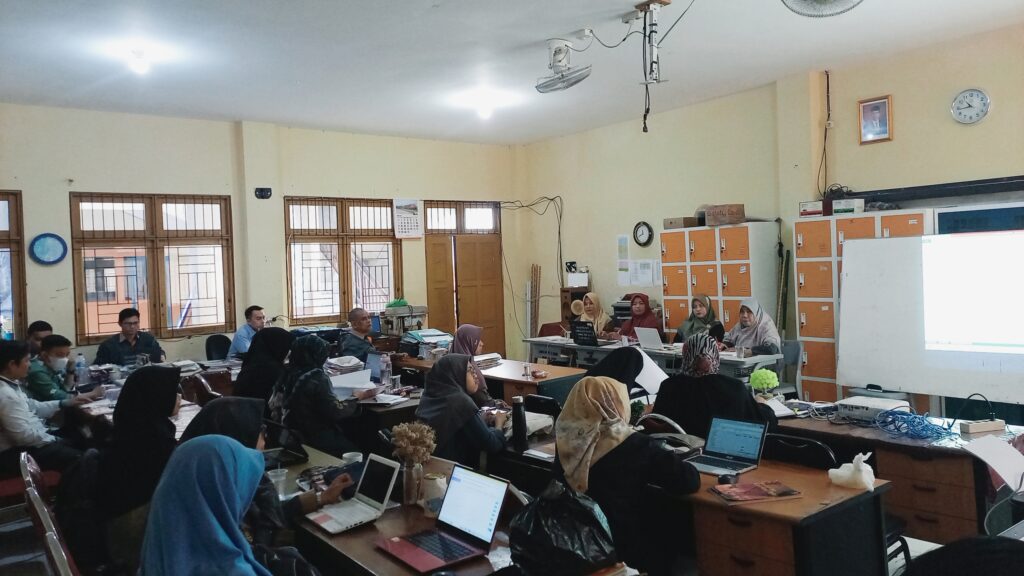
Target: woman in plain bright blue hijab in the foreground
{"type": "Point", "coordinates": [194, 525]}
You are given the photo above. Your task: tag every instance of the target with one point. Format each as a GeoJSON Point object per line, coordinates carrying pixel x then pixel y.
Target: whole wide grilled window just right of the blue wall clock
{"type": "Point", "coordinates": [125, 244]}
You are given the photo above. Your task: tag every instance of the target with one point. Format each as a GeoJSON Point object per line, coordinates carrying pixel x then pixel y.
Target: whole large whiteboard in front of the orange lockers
{"type": "Point", "coordinates": [934, 315]}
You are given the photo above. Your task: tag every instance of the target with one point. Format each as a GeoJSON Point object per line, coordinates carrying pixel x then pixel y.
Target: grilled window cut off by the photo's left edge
{"type": "Point", "coordinates": [13, 300]}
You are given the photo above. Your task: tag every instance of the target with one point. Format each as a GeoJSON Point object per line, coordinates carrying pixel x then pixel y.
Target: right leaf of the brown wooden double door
{"type": "Point", "coordinates": [481, 297]}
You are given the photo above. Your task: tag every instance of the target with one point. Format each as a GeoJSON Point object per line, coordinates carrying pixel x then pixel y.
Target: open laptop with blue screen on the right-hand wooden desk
{"type": "Point", "coordinates": [733, 447]}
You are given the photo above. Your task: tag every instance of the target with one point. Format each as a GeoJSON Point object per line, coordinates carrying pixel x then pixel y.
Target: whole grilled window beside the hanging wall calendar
{"type": "Point", "coordinates": [343, 255]}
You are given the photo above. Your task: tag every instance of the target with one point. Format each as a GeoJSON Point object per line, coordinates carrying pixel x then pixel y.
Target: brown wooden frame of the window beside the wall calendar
{"type": "Point", "coordinates": [344, 236]}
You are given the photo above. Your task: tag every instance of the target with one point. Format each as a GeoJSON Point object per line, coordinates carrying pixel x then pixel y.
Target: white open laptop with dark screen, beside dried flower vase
{"type": "Point", "coordinates": [369, 503]}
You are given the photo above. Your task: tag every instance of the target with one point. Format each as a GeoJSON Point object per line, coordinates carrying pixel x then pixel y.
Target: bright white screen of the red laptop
{"type": "Point", "coordinates": [473, 504]}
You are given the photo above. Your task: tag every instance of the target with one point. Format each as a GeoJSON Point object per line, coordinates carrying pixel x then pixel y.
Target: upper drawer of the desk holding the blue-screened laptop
{"type": "Point", "coordinates": [752, 536]}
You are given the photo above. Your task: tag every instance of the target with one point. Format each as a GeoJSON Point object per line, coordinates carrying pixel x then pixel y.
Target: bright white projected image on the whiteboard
{"type": "Point", "coordinates": [972, 290]}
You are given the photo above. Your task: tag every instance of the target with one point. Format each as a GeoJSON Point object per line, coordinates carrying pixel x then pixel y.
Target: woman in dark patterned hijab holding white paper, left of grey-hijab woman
{"type": "Point", "coordinates": [305, 401]}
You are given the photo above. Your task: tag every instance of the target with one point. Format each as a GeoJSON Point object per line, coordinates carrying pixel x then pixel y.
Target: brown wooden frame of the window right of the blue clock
{"type": "Point", "coordinates": [153, 241]}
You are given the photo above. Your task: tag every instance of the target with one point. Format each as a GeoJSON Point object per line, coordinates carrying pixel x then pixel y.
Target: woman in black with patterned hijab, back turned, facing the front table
{"type": "Point", "coordinates": [699, 394]}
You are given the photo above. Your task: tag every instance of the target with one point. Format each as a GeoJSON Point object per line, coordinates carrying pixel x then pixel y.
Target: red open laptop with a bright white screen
{"type": "Point", "coordinates": [465, 525]}
